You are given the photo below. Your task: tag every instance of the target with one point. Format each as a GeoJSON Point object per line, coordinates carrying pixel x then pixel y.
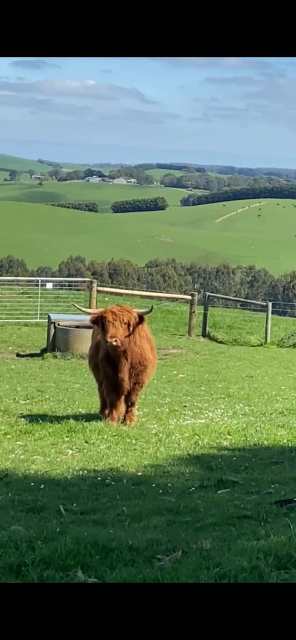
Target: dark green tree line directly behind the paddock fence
{"type": "Point", "coordinates": [167, 275]}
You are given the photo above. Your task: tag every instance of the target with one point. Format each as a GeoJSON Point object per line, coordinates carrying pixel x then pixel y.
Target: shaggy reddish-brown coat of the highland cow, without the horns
{"type": "Point", "coordinates": [122, 358]}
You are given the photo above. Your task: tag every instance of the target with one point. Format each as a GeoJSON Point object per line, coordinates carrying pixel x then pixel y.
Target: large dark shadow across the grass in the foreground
{"type": "Point", "coordinates": [199, 518]}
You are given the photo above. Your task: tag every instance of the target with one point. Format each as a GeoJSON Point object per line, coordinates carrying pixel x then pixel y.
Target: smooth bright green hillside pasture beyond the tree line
{"type": "Point", "coordinates": [264, 235]}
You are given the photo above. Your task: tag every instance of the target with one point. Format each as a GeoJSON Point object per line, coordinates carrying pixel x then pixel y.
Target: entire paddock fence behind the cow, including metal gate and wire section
{"type": "Point", "coordinates": [225, 319]}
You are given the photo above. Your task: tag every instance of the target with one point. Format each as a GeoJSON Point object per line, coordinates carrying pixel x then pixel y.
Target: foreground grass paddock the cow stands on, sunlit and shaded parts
{"type": "Point", "coordinates": [186, 495]}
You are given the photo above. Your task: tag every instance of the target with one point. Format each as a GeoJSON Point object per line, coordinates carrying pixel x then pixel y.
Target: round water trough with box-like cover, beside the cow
{"type": "Point", "coordinates": [68, 333]}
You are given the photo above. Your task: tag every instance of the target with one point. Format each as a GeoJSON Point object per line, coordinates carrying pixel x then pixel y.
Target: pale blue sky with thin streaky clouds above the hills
{"type": "Point", "coordinates": [232, 111]}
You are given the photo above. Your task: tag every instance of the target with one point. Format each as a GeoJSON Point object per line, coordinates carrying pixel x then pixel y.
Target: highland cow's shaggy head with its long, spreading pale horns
{"type": "Point", "coordinates": [116, 324]}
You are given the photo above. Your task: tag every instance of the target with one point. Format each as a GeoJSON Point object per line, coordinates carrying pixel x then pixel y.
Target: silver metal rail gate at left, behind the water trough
{"type": "Point", "coordinates": [31, 299]}
